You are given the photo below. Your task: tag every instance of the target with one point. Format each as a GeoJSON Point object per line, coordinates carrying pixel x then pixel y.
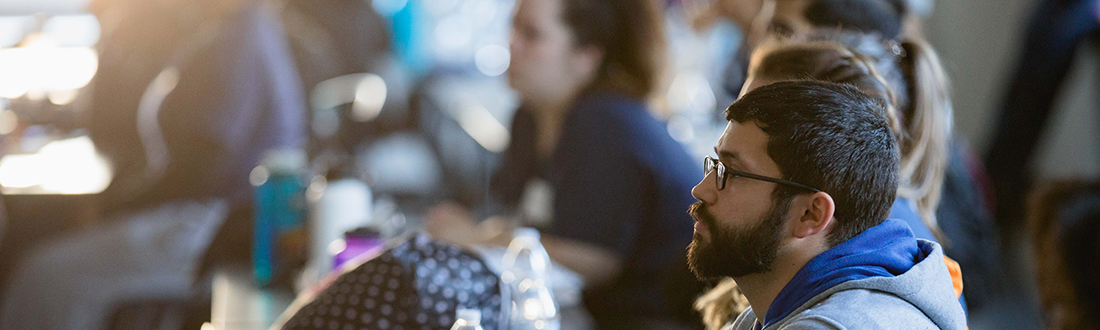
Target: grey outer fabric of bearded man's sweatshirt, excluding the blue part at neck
{"type": "Point", "coordinates": [920, 299]}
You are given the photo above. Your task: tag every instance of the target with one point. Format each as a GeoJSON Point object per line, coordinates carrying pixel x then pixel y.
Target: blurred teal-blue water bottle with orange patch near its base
{"type": "Point", "coordinates": [280, 238]}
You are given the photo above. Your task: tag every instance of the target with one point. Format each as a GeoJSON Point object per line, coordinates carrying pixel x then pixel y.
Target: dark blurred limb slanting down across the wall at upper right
{"type": "Point", "coordinates": [1052, 39]}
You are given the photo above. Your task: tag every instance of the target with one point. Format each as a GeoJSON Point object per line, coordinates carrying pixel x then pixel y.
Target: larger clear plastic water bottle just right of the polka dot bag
{"type": "Point", "coordinates": [527, 270]}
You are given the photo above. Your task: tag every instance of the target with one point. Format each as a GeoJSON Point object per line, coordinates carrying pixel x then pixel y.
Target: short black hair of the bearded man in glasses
{"type": "Point", "coordinates": [833, 138]}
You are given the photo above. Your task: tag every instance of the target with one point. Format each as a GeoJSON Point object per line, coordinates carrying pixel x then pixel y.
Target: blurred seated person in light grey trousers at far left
{"type": "Point", "coordinates": [188, 97]}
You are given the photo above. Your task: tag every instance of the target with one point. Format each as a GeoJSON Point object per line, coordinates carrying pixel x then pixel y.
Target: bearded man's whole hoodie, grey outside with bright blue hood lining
{"type": "Point", "coordinates": [885, 278]}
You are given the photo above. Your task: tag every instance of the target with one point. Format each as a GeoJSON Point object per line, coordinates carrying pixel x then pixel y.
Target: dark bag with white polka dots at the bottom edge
{"type": "Point", "coordinates": [416, 285]}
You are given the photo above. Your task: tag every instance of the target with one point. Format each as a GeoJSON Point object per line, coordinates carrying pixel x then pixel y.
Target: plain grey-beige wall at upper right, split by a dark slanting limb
{"type": "Point", "coordinates": [980, 41]}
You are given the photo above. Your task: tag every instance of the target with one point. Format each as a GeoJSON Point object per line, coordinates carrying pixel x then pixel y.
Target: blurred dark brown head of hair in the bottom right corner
{"type": "Point", "coordinates": [1064, 224]}
